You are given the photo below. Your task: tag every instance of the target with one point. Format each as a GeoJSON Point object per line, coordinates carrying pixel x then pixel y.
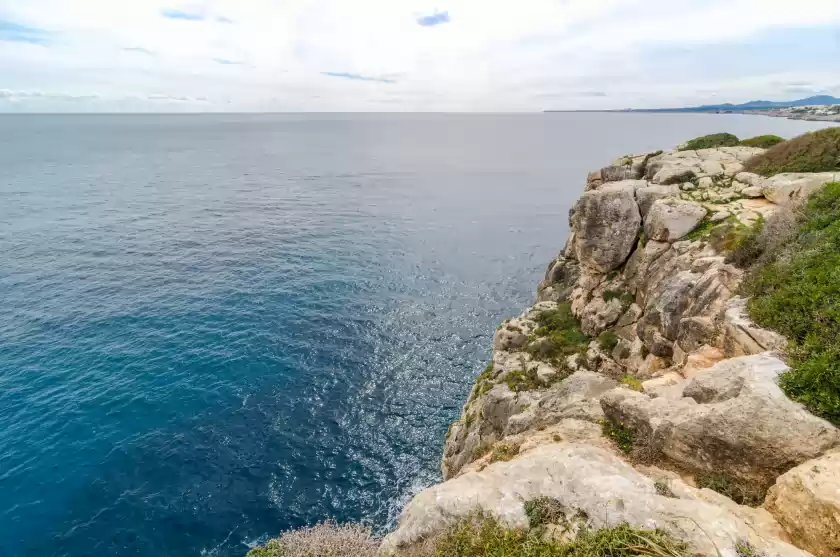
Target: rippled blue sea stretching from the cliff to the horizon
{"type": "Point", "coordinates": [217, 327]}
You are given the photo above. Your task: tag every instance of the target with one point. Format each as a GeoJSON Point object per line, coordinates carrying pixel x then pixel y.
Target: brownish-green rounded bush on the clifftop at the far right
{"type": "Point", "coordinates": [817, 151]}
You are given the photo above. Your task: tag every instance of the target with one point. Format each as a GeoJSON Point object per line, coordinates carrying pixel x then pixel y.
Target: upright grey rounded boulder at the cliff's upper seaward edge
{"type": "Point", "coordinates": [605, 225]}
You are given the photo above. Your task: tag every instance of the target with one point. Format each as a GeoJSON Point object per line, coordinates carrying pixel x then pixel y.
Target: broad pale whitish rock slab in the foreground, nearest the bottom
{"type": "Point", "coordinates": [595, 481]}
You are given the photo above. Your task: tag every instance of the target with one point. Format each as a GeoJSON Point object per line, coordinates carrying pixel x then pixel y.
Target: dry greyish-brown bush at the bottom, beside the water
{"type": "Point", "coordinates": [327, 539]}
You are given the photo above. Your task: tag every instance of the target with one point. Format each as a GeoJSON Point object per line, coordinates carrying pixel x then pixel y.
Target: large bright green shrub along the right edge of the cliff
{"type": "Point", "coordinates": [798, 295]}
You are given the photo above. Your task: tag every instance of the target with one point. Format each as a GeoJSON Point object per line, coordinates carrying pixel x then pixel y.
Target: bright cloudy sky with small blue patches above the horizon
{"type": "Point", "coordinates": [411, 55]}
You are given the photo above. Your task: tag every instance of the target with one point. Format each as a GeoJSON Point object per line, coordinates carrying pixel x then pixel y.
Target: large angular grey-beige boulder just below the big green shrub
{"type": "Point", "coordinates": [733, 419]}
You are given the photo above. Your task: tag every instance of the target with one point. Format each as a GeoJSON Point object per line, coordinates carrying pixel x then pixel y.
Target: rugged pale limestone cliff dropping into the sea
{"type": "Point", "coordinates": [637, 377]}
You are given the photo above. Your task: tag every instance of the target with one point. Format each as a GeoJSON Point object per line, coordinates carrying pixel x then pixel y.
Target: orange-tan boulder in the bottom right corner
{"type": "Point", "coordinates": [806, 502]}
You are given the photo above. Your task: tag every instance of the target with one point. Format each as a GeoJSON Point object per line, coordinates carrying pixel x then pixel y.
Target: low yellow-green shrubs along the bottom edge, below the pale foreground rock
{"type": "Point", "coordinates": [484, 536]}
